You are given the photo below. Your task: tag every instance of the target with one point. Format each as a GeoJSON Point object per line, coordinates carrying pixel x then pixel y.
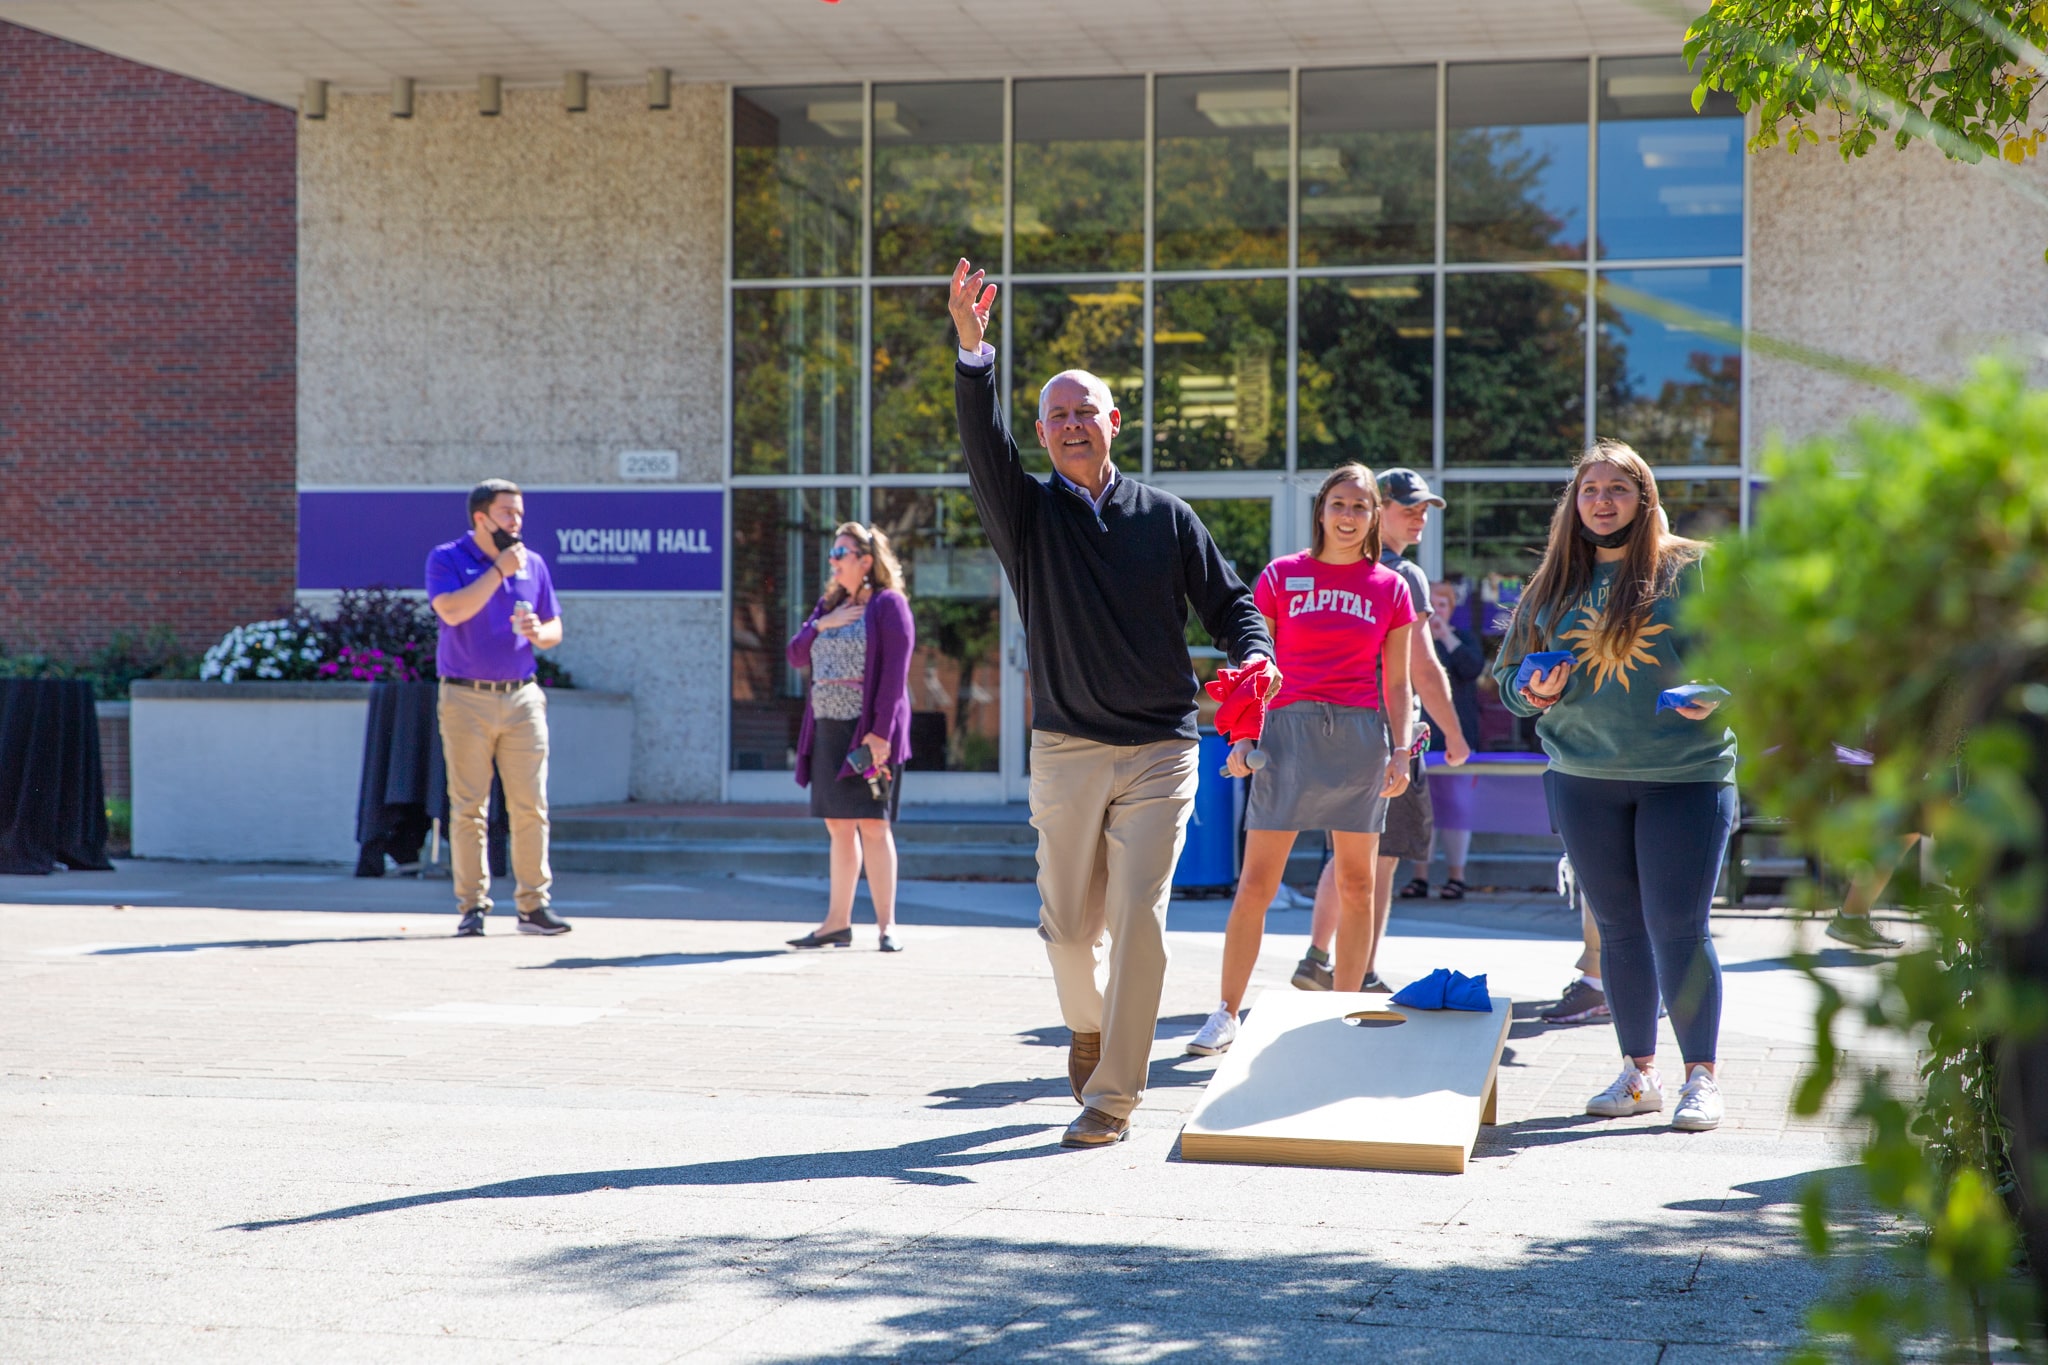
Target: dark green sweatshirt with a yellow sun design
{"type": "Point", "coordinates": [1607, 725]}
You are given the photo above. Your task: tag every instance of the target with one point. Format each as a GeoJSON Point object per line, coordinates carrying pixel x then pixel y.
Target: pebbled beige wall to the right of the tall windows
{"type": "Point", "coordinates": [1902, 259]}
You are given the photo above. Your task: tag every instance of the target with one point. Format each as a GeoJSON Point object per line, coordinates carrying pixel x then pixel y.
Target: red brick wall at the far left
{"type": "Point", "coordinates": [148, 410]}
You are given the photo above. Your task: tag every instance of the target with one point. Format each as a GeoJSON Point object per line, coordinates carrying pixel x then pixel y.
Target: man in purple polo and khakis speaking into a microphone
{"type": "Point", "coordinates": [497, 609]}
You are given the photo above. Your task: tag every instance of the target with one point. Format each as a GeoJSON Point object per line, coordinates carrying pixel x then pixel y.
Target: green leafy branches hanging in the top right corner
{"type": "Point", "coordinates": [1957, 73]}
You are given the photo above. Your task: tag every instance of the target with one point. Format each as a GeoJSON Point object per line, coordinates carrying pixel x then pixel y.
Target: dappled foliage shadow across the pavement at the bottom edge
{"type": "Point", "coordinates": [1617, 1296]}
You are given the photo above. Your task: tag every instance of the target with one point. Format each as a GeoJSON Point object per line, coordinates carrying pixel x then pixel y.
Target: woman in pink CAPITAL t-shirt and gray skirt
{"type": "Point", "coordinates": [1340, 627]}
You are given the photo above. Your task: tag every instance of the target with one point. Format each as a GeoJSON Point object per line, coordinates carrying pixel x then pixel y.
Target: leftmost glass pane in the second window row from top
{"type": "Point", "coordinates": [794, 382]}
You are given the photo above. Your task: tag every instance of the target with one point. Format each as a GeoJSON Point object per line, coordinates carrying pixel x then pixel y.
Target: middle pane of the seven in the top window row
{"type": "Point", "coordinates": [1222, 171]}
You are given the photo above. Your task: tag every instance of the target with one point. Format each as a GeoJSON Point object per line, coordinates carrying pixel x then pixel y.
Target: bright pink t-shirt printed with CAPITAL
{"type": "Point", "coordinates": [1330, 623]}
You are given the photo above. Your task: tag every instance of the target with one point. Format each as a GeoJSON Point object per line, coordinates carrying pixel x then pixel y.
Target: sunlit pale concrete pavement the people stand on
{"type": "Point", "coordinates": [278, 1114]}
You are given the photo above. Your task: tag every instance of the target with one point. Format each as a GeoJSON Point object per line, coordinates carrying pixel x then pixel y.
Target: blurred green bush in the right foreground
{"type": "Point", "coordinates": [1893, 595]}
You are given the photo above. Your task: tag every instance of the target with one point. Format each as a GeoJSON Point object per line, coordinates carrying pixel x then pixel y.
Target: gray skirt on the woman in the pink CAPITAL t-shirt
{"type": "Point", "coordinates": [1324, 770]}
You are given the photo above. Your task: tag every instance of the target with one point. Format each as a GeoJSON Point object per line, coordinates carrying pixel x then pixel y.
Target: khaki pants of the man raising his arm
{"type": "Point", "coordinates": [1111, 822]}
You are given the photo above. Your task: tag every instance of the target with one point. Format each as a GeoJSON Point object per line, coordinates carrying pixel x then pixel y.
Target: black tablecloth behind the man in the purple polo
{"type": "Point", "coordinates": [407, 785]}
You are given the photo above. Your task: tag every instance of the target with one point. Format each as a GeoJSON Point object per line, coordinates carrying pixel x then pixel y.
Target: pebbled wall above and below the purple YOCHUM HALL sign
{"type": "Point", "coordinates": [527, 296]}
